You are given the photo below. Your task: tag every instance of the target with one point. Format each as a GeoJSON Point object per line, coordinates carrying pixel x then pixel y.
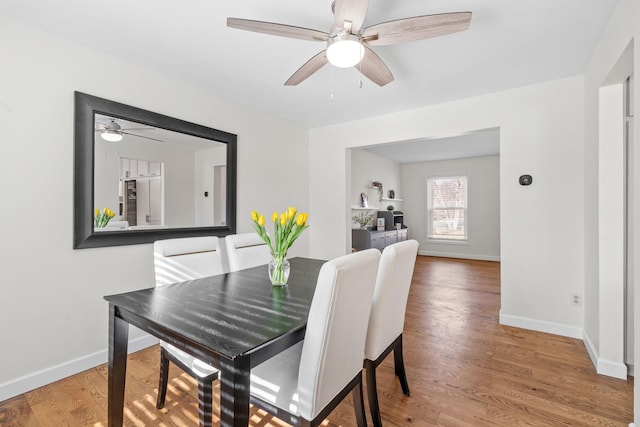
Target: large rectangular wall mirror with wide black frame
{"type": "Point", "coordinates": [142, 176]}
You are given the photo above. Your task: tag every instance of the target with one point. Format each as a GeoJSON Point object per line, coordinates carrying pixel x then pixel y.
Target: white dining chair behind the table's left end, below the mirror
{"type": "Point", "coordinates": [178, 260]}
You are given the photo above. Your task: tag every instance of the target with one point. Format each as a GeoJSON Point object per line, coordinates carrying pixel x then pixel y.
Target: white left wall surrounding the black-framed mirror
{"type": "Point", "coordinates": [53, 319]}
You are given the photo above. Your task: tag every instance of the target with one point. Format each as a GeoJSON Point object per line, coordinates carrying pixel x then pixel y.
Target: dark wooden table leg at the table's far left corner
{"type": "Point", "coordinates": [118, 341]}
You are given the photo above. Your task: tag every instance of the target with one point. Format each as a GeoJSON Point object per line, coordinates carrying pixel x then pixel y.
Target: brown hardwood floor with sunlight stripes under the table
{"type": "Point", "coordinates": [464, 369]}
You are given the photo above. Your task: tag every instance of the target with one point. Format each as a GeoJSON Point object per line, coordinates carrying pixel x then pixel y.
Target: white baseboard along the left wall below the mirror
{"type": "Point", "coordinates": [47, 376]}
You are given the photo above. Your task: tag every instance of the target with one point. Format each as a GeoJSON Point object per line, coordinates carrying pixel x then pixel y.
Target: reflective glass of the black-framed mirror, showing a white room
{"type": "Point", "coordinates": [158, 178]}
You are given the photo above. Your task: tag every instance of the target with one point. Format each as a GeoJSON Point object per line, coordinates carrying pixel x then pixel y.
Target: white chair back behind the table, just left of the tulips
{"type": "Point", "coordinates": [246, 250]}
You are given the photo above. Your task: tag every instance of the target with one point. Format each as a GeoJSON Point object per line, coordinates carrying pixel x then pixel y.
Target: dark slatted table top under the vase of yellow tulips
{"type": "Point", "coordinates": [230, 314]}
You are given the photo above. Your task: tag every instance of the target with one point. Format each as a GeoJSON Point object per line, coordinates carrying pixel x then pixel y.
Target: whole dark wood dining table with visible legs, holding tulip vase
{"type": "Point", "coordinates": [233, 321]}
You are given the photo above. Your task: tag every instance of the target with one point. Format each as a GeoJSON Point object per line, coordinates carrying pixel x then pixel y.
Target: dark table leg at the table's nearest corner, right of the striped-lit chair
{"type": "Point", "coordinates": [234, 392]}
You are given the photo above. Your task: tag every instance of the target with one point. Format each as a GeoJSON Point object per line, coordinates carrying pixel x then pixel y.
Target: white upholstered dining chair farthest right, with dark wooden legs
{"type": "Point", "coordinates": [386, 322]}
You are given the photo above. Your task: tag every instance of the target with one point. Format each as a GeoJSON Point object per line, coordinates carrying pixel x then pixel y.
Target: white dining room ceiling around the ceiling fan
{"type": "Point", "coordinates": [510, 43]}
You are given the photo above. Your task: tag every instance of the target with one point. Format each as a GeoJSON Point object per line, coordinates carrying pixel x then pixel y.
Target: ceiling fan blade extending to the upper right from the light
{"type": "Point", "coordinates": [416, 28]}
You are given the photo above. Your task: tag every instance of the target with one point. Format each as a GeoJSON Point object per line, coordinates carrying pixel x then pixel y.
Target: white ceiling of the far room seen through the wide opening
{"type": "Point", "coordinates": [475, 144]}
